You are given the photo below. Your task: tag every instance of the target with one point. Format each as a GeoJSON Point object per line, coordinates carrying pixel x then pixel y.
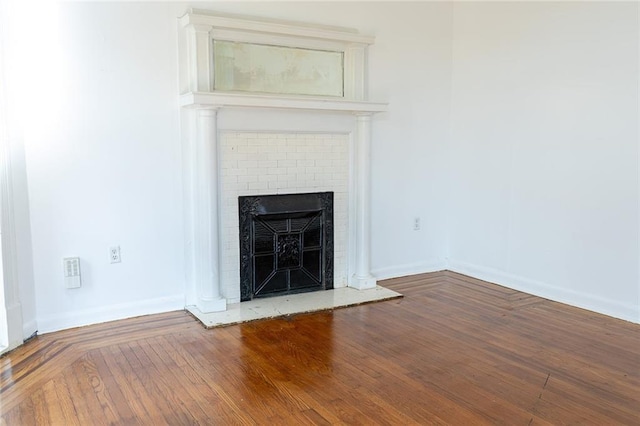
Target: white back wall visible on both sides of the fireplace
{"type": "Point", "coordinates": [103, 157]}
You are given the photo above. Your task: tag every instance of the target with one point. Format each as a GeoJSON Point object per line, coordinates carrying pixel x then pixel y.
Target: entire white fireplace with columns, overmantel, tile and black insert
{"type": "Point", "coordinates": [240, 142]}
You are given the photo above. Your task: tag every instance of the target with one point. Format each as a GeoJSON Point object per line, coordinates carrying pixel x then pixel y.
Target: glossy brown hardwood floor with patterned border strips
{"type": "Point", "coordinates": [454, 350]}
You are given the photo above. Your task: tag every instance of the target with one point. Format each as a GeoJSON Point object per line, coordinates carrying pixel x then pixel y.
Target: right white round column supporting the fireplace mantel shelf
{"type": "Point", "coordinates": [362, 278]}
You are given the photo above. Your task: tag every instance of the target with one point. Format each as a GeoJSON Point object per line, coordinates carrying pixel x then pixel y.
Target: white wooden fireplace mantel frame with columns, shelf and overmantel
{"type": "Point", "coordinates": [201, 105]}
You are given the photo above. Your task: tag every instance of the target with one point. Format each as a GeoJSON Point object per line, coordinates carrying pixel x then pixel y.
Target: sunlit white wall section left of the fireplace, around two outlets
{"type": "Point", "coordinates": [104, 166]}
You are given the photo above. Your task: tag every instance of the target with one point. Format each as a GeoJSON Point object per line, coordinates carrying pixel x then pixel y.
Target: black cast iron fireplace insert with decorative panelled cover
{"type": "Point", "coordinates": [286, 244]}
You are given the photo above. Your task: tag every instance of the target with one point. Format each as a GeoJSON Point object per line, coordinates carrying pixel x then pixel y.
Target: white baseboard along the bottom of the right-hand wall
{"type": "Point", "coordinates": [625, 311]}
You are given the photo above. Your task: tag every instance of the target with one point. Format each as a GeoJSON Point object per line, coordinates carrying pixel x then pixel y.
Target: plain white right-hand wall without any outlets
{"type": "Point", "coordinates": [544, 153]}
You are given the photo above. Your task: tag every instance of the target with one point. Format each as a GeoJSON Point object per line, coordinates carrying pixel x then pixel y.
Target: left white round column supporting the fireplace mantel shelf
{"type": "Point", "coordinates": [205, 203]}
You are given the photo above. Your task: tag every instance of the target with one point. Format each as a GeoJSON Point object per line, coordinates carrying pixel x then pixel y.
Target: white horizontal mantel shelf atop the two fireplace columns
{"type": "Point", "coordinates": [242, 100]}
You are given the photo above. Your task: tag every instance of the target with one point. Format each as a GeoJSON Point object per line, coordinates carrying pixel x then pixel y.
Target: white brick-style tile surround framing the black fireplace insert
{"type": "Point", "coordinates": [261, 163]}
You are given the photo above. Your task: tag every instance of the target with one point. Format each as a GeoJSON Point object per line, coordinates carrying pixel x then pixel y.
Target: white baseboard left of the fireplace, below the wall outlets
{"type": "Point", "coordinates": [110, 313]}
